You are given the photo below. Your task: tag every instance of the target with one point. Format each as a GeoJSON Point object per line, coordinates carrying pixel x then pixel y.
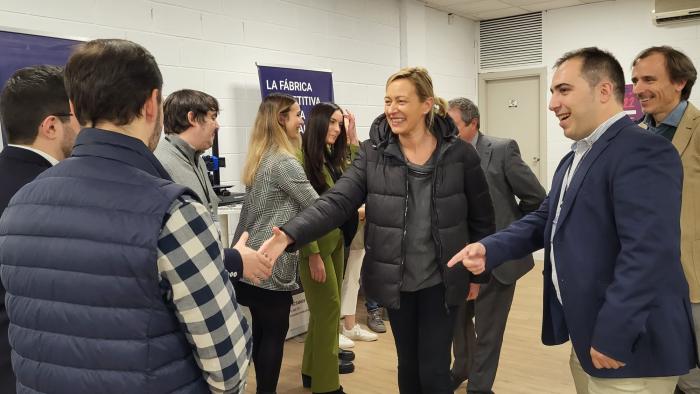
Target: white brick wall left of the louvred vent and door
{"type": "Point", "coordinates": [212, 45]}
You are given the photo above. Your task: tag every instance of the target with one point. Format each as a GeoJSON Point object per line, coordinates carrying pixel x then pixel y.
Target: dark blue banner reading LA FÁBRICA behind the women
{"type": "Point", "coordinates": [309, 87]}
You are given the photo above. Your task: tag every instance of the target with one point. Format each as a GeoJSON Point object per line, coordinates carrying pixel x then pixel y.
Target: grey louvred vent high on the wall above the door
{"type": "Point", "coordinates": [510, 42]}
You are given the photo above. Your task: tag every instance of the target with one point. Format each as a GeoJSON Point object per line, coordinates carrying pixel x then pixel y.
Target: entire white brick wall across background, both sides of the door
{"type": "Point", "coordinates": [212, 45]}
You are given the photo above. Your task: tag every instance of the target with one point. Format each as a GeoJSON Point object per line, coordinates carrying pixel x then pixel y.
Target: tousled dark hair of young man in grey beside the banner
{"type": "Point", "coordinates": [180, 103]}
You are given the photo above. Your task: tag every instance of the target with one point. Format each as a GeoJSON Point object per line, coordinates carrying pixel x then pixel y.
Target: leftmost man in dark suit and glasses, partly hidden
{"type": "Point", "coordinates": [41, 131]}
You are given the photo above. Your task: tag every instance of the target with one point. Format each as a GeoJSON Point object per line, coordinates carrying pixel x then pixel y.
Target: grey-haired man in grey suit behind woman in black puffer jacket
{"type": "Point", "coordinates": [476, 356]}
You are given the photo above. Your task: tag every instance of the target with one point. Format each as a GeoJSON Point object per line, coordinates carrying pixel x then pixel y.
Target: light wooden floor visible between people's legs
{"type": "Point", "coordinates": [526, 365]}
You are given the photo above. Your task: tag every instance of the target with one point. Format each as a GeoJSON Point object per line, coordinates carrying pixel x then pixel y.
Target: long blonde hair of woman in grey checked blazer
{"type": "Point", "coordinates": [268, 133]}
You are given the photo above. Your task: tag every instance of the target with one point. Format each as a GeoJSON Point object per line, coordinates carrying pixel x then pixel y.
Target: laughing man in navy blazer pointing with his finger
{"type": "Point", "coordinates": [613, 281]}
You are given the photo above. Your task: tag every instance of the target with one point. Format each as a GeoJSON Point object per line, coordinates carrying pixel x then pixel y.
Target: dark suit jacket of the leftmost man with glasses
{"type": "Point", "coordinates": [17, 168]}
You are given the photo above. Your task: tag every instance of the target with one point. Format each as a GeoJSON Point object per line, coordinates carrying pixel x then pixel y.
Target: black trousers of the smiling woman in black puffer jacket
{"type": "Point", "coordinates": [422, 329]}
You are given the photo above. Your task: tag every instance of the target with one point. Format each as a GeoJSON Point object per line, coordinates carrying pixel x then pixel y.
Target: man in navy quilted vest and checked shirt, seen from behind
{"type": "Point", "coordinates": [114, 274]}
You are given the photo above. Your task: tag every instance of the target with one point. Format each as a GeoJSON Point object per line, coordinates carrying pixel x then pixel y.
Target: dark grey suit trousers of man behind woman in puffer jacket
{"type": "Point", "coordinates": [478, 349]}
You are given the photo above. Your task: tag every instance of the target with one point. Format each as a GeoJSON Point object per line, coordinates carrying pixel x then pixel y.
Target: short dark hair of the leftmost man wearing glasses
{"type": "Point", "coordinates": [29, 96]}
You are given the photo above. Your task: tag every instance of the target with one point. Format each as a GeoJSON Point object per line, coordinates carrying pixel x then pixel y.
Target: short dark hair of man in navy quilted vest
{"type": "Point", "coordinates": [110, 80]}
